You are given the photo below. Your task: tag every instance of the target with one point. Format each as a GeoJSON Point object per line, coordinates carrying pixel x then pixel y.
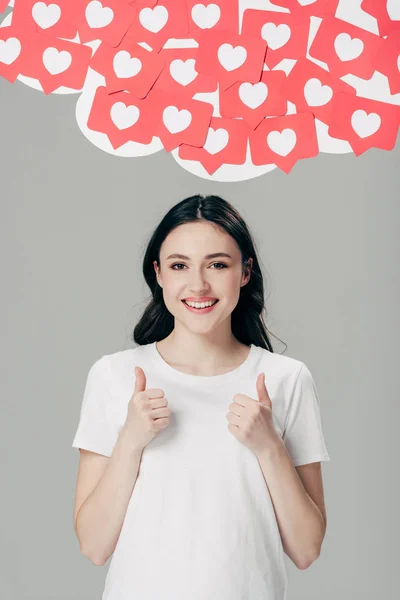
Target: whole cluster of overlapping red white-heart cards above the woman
{"type": "Point", "coordinates": [149, 90]}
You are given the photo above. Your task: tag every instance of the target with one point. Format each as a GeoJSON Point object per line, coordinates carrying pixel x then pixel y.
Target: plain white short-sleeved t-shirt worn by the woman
{"type": "Point", "coordinates": [200, 523]}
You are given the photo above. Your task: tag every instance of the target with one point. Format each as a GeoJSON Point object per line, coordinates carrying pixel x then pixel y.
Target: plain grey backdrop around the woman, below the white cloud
{"type": "Point", "coordinates": [74, 226]}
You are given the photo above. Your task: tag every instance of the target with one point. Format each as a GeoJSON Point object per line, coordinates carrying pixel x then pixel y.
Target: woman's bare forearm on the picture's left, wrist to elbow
{"type": "Point", "coordinates": [99, 520]}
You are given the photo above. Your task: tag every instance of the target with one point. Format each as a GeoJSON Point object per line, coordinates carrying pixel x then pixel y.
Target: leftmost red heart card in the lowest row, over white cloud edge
{"type": "Point", "coordinates": [121, 116]}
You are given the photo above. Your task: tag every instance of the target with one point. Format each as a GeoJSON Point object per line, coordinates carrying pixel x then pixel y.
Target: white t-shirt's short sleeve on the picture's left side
{"type": "Point", "coordinates": [96, 431]}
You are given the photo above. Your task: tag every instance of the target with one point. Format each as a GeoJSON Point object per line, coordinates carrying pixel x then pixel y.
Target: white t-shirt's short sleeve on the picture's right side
{"type": "Point", "coordinates": [303, 435]}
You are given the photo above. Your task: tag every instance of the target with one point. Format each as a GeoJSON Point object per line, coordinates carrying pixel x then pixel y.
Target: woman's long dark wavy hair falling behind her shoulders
{"type": "Point", "coordinates": [247, 321]}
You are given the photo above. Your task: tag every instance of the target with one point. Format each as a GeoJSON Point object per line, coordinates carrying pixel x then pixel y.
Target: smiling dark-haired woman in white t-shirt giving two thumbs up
{"type": "Point", "coordinates": [201, 448]}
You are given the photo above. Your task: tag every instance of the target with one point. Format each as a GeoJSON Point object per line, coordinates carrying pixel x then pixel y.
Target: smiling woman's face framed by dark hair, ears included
{"type": "Point", "coordinates": [194, 276]}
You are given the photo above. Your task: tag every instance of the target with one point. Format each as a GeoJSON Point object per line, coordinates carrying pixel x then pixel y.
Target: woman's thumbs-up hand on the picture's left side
{"type": "Point", "coordinates": [148, 411]}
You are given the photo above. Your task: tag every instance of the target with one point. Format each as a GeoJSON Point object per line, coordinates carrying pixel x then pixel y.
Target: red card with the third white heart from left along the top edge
{"type": "Point", "coordinates": [155, 25]}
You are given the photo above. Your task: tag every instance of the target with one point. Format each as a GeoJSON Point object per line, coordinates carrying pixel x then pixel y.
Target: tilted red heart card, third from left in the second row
{"type": "Point", "coordinates": [128, 67]}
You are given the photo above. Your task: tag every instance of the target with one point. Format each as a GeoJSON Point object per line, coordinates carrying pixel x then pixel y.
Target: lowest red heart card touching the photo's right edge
{"type": "Point", "coordinates": [364, 123]}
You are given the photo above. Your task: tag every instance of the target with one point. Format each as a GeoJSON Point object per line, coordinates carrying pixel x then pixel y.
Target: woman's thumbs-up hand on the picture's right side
{"type": "Point", "coordinates": [251, 421]}
